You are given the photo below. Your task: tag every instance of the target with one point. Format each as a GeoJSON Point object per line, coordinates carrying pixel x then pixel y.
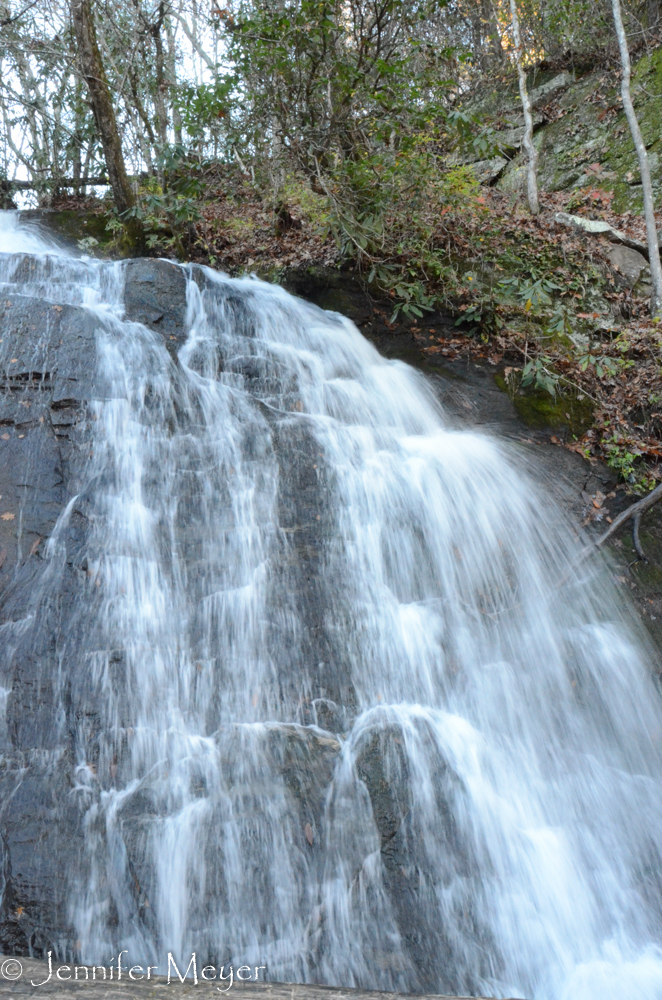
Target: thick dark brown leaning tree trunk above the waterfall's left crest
{"type": "Point", "coordinates": [94, 75]}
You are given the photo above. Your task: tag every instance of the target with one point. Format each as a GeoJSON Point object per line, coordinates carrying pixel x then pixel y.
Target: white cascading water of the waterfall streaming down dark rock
{"type": "Point", "coordinates": [354, 719]}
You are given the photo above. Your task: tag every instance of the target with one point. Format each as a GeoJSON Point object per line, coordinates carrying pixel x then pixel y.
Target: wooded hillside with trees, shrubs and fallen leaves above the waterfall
{"type": "Point", "coordinates": [396, 139]}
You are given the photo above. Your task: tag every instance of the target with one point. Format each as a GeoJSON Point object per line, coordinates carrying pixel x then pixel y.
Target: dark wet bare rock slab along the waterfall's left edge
{"type": "Point", "coordinates": [47, 370]}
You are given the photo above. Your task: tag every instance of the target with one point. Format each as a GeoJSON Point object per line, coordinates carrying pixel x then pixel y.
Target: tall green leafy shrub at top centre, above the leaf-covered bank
{"type": "Point", "coordinates": [355, 98]}
